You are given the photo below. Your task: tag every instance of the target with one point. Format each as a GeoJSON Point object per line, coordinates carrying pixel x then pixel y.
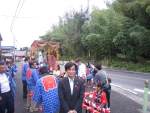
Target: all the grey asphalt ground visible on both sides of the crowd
{"type": "Point", "coordinates": [122, 101]}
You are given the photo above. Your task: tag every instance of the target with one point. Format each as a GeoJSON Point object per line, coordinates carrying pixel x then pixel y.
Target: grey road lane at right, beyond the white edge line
{"type": "Point", "coordinates": [131, 81]}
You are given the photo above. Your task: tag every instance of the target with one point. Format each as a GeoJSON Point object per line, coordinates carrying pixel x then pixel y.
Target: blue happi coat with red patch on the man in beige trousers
{"type": "Point", "coordinates": [31, 78]}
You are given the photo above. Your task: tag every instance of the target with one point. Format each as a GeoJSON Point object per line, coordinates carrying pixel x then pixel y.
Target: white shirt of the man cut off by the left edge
{"type": "Point", "coordinates": [4, 83]}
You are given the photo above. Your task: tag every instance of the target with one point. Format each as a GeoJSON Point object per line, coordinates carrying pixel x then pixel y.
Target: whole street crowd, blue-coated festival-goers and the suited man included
{"type": "Point", "coordinates": [55, 91]}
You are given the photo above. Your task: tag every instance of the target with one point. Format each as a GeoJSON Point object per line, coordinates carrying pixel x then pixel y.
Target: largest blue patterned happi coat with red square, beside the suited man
{"type": "Point", "coordinates": [46, 93]}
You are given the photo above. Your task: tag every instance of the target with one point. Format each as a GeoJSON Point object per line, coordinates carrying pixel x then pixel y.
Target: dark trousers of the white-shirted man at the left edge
{"type": "Point", "coordinates": [7, 103]}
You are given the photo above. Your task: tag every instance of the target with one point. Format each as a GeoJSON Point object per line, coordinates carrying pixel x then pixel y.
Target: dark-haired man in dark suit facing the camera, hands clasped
{"type": "Point", "coordinates": [70, 91]}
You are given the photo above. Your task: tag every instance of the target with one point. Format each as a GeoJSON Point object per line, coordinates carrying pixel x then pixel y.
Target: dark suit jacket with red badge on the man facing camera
{"type": "Point", "coordinates": [67, 101]}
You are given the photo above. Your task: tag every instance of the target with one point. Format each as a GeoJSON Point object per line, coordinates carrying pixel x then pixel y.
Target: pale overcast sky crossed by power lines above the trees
{"type": "Point", "coordinates": [26, 30]}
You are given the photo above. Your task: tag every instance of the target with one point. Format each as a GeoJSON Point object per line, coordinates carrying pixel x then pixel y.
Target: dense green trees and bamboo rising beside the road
{"type": "Point", "coordinates": [122, 30]}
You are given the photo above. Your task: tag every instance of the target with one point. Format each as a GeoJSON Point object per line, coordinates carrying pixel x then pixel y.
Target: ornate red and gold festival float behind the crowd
{"type": "Point", "coordinates": [45, 50]}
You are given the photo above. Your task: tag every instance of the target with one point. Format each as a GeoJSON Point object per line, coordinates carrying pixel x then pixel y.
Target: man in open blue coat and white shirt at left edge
{"type": "Point", "coordinates": [6, 90]}
